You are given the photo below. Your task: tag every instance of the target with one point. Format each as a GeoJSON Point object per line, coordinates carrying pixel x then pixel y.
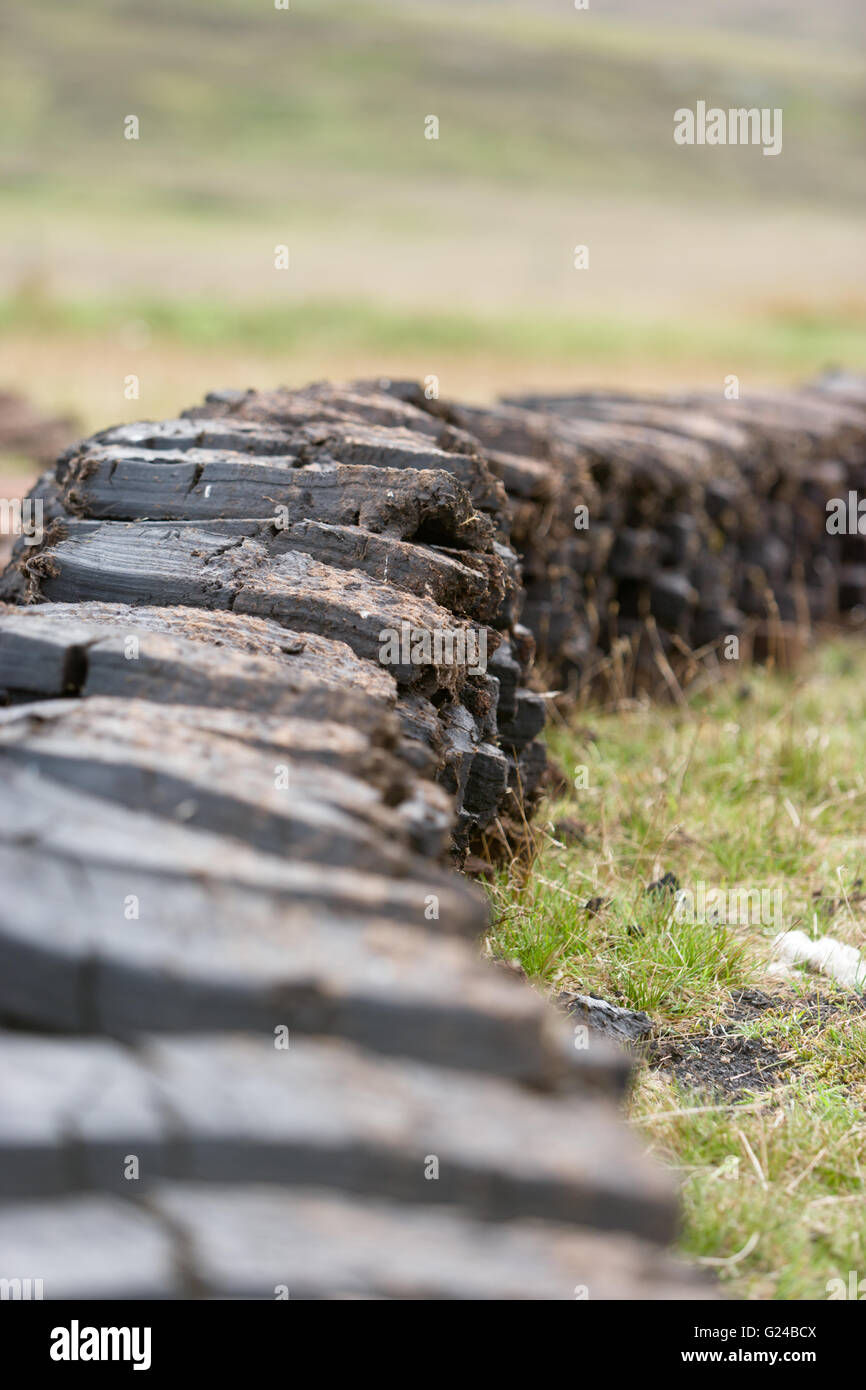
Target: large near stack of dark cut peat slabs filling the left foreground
{"type": "Point", "coordinates": [248, 1047]}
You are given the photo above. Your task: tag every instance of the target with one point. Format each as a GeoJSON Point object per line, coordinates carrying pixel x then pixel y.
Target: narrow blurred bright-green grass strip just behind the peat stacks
{"type": "Point", "coordinates": [778, 343]}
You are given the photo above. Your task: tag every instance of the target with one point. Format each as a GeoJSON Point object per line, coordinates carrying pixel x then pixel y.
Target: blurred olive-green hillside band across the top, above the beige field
{"type": "Point", "coordinates": [523, 95]}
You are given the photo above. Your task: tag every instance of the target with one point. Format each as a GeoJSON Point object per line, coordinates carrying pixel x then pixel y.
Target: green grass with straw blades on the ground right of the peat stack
{"type": "Point", "coordinates": [757, 783]}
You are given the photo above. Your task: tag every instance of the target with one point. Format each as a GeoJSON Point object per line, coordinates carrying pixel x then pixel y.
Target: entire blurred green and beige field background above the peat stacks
{"type": "Point", "coordinates": [454, 258]}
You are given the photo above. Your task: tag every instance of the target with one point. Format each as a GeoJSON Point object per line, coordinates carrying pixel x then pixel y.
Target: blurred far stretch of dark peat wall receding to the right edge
{"type": "Point", "coordinates": [669, 525]}
